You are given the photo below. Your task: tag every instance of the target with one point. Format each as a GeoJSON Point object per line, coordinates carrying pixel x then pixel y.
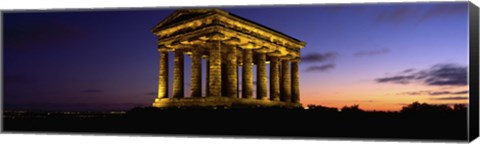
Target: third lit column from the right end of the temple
{"type": "Point", "coordinates": [274, 79]}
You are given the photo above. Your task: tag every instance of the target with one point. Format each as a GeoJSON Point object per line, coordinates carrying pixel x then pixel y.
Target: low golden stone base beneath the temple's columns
{"type": "Point", "coordinates": [224, 102]}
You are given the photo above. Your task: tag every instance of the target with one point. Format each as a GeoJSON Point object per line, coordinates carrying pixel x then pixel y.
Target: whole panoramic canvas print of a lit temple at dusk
{"type": "Point", "coordinates": [378, 70]}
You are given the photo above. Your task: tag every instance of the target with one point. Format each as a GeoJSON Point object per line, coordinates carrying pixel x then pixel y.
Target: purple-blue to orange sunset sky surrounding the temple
{"type": "Point", "coordinates": [380, 56]}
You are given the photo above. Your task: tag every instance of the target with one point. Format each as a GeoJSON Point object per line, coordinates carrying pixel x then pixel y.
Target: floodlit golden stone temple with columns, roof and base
{"type": "Point", "coordinates": [226, 42]}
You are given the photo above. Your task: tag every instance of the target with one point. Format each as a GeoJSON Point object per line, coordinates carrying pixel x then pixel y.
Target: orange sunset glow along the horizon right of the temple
{"type": "Point", "coordinates": [372, 96]}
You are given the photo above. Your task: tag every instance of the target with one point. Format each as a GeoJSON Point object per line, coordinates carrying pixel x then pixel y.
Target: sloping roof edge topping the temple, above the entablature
{"type": "Point", "coordinates": [183, 15]}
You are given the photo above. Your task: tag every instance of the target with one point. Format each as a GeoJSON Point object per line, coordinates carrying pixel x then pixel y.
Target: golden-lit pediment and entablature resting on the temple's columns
{"type": "Point", "coordinates": [193, 26]}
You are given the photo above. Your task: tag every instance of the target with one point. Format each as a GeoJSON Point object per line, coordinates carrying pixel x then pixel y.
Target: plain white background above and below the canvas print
{"type": "Point", "coordinates": [107, 139]}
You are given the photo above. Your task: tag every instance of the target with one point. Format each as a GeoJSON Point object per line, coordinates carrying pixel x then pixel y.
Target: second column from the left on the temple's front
{"type": "Point", "coordinates": [178, 67]}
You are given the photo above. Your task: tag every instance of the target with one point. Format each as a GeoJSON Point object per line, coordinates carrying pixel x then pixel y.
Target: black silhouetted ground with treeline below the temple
{"type": "Point", "coordinates": [276, 122]}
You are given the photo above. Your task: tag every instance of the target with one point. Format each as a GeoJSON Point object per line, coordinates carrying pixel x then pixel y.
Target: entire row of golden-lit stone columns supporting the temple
{"type": "Point", "coordinates": [284, 76]}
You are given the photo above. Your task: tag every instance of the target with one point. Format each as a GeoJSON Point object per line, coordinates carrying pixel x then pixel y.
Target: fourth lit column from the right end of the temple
{"type": "Point", "coordinates": [261, 76]}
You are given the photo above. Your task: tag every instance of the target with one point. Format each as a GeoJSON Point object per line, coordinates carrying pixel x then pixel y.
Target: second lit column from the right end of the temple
{"type": "Point", "coordinates": [285, 82]}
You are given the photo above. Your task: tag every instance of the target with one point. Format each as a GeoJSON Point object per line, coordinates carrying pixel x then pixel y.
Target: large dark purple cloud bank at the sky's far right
{"type": "Point", "coordinates": [438, 75]}
